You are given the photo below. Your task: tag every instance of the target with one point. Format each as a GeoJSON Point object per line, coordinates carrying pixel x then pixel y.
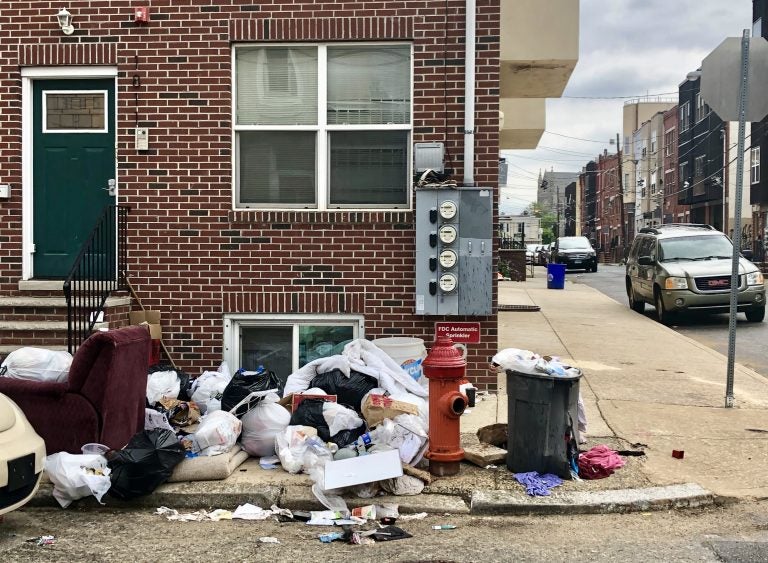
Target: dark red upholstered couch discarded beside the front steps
{"type": "Point", "coordinates": [102, 400]}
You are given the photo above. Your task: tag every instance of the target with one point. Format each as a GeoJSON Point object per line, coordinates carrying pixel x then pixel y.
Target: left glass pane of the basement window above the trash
{"type": "Point", "coordinates": [269, 346]}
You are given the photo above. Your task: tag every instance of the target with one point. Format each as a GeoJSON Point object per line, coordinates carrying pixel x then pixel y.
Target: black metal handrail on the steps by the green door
{"type": "Point", "coordinates": [99, 269]}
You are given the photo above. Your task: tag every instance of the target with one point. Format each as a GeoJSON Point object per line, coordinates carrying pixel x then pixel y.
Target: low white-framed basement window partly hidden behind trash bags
{"type": "Point", "coordinates": [284, 343]}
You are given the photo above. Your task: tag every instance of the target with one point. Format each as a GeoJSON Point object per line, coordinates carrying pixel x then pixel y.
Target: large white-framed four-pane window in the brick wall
{"type": "Point", "coordinates": [323, 126]}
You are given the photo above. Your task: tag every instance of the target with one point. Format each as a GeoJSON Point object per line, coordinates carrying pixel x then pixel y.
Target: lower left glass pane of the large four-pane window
{"type": "Point", "coordinates": [277, 167]}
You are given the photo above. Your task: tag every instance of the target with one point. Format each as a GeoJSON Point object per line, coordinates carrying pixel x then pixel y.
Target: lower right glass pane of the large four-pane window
{"type": "Point", "coordinates": [369, 167]}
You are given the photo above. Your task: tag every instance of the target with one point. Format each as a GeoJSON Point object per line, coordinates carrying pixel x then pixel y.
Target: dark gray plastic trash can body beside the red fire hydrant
{"type": "Point", "coordinates": [542, 422]}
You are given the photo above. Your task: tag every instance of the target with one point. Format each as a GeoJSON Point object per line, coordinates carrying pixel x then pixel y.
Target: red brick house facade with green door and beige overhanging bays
{"type": "Point", "coordinates": [265, 154]}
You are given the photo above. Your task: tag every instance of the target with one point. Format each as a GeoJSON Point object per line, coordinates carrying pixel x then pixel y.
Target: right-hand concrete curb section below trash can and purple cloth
{"type": "Point", "coordinates": [687, 495]}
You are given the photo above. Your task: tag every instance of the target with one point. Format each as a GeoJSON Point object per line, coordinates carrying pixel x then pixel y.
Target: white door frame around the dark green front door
{"type": "Point", "coordinates": [28, 75]}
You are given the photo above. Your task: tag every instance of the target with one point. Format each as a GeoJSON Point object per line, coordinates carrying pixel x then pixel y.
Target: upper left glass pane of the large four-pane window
{"type": "Point", "coordinates": [276, 86]}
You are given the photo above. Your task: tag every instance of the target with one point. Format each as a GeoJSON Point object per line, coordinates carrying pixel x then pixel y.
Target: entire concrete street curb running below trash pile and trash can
{"type": "Point", "coordinates": [207, 494]}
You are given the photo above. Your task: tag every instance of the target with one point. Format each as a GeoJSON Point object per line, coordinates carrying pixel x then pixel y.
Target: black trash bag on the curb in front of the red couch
{"type": "Point", "coordinates": [144, 464]}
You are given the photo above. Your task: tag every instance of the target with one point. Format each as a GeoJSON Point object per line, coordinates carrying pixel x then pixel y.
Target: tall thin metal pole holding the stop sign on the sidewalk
{"type": "Point", "coordinates": [743, 98]}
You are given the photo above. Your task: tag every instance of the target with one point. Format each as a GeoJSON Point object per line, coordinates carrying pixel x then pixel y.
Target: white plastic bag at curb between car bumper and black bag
{"type": "Point", "coordinates": [77, 476]}
